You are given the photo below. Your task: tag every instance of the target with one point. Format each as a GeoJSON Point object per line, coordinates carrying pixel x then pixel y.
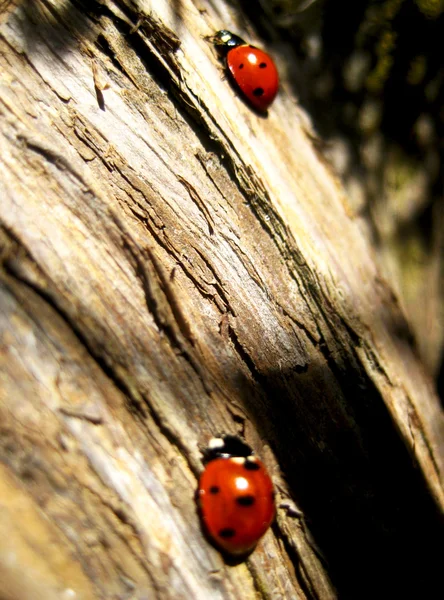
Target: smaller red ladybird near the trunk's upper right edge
{"type": "Point", "coordinates": [251, 69]}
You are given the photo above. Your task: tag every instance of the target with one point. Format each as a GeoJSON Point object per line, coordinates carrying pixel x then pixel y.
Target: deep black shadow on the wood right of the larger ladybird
{"type": "Point", "coordinates": [361, 496]}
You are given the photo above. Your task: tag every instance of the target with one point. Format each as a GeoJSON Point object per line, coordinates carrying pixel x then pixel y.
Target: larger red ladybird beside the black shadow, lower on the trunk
{"type": "Point", "coordinates": [235, 495]}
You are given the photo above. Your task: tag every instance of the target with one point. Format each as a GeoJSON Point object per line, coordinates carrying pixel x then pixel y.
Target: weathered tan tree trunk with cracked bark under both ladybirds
{"type": "Point", "coordinates": [174, 266]}
